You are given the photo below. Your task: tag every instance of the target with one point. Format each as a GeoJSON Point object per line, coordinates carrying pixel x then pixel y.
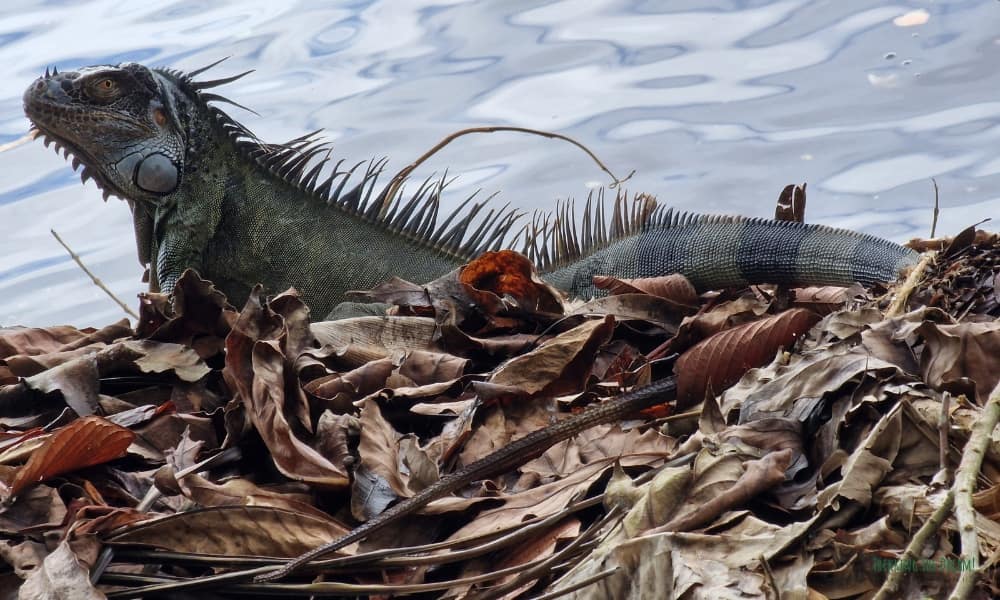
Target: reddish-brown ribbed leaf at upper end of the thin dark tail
{"type": "Point", "coordinates": [719, 361]}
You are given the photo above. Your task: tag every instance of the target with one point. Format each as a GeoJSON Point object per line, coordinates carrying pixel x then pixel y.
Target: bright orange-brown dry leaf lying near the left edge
{"type": "Point", "coordinates": [83, 443]}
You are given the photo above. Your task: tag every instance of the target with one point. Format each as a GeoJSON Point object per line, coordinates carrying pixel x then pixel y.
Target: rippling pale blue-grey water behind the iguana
{"type": "Point", "coordinates": [715, 105]}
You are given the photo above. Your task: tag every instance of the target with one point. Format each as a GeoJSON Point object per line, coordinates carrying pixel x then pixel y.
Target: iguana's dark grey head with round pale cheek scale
{"type": "Point", "coordinates": [125, 124]}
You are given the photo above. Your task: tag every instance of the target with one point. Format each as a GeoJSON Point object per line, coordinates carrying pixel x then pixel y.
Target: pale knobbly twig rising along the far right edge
{"type": "Point", "coordinates": [965, 485]}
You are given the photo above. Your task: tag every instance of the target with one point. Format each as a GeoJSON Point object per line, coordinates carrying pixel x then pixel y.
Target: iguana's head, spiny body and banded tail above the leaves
{"type": "Point", "coordinates": [206, 193]}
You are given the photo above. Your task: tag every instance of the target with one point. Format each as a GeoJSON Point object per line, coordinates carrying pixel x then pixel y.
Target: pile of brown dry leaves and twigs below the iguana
{"type": "Point", "coordinates": [824, 443]}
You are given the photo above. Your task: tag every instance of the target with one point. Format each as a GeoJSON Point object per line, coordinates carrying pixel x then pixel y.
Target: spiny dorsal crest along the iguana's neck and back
{"type": "Point", "coordinates": [550, 240]}
